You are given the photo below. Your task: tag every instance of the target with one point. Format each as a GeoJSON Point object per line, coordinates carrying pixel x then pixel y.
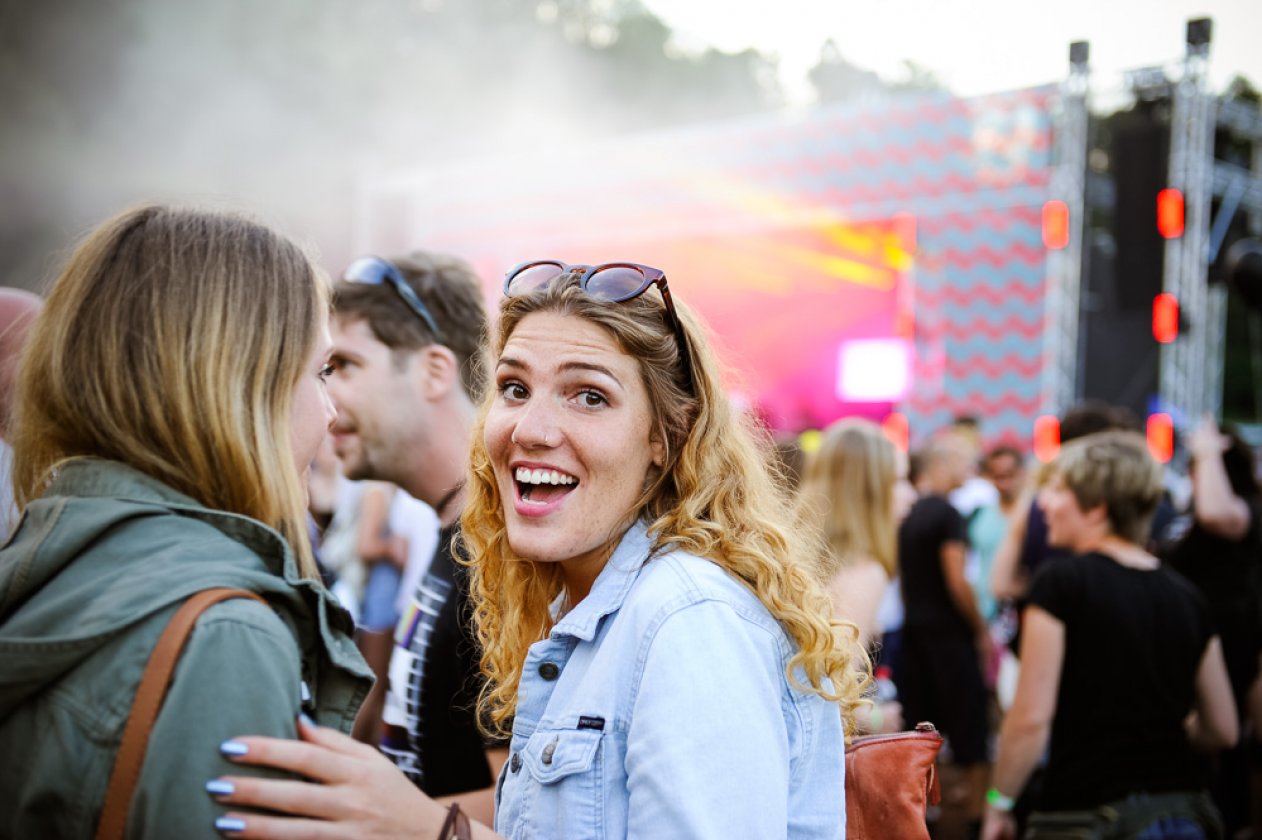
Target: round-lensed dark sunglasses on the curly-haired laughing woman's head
{"type": "Point", "coordinates": [613, 282]}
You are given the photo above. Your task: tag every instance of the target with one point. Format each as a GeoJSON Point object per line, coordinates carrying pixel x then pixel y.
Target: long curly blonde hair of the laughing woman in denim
{"type": "Point", "coordinates": [717, 496]}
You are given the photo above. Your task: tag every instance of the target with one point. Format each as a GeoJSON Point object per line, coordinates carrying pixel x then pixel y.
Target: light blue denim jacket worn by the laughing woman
{"type": "Point", "coordinates": [659, 708]}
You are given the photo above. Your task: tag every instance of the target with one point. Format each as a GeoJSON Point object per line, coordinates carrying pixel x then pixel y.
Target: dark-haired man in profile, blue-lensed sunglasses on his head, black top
{"type": "Point", "coordinates": [408, 355]}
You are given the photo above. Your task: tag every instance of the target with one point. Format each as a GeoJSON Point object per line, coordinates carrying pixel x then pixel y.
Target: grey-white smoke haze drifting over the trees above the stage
{"type": "Point", "coordinates": [283, 108]}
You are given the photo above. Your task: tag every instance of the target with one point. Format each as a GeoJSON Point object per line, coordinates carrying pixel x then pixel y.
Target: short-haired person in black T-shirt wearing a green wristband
{"type": "Point", "coordinates": [1118, 651]}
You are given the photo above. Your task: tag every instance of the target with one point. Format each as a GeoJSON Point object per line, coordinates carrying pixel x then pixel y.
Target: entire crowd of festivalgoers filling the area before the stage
{"type": "Point", "coordinates": [594, 600]}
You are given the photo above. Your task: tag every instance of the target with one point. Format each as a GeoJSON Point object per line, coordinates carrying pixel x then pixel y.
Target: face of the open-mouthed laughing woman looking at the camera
{"type": "Point", "coordinates": [570, 440]}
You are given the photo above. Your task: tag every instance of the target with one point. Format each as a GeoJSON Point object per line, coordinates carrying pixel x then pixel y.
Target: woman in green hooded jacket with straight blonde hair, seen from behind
{"type": "Point", "coordinates": [171, 400]}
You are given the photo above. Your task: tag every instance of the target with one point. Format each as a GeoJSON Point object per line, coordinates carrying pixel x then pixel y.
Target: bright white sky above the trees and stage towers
{"type": "Point", "coordinates": [975, 47]}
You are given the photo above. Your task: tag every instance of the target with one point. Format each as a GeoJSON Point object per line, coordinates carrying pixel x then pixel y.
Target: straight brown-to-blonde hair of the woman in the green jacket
{"type": "Point", "coordinates": [174, 342]}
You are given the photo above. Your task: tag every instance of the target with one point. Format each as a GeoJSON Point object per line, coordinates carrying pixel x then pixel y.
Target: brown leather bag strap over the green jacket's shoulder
{"type": "Point", "coordinates": [144, 709]}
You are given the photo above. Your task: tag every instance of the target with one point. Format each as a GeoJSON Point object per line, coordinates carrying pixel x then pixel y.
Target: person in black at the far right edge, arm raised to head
{"type": "Point", "coordinates": [1221, 554]}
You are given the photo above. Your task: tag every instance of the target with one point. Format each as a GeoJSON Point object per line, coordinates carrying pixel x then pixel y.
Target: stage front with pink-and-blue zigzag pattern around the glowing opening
{"type": "Point", "coordinates": [787, 194]}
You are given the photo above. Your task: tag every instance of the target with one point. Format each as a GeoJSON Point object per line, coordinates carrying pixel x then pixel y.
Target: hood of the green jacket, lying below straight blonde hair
{"type": "Point", "coordinates": [107, 548]}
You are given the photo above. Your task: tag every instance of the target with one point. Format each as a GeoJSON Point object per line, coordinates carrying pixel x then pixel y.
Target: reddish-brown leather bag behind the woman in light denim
{"type": "Point", "coordinates": [890, 780]}
